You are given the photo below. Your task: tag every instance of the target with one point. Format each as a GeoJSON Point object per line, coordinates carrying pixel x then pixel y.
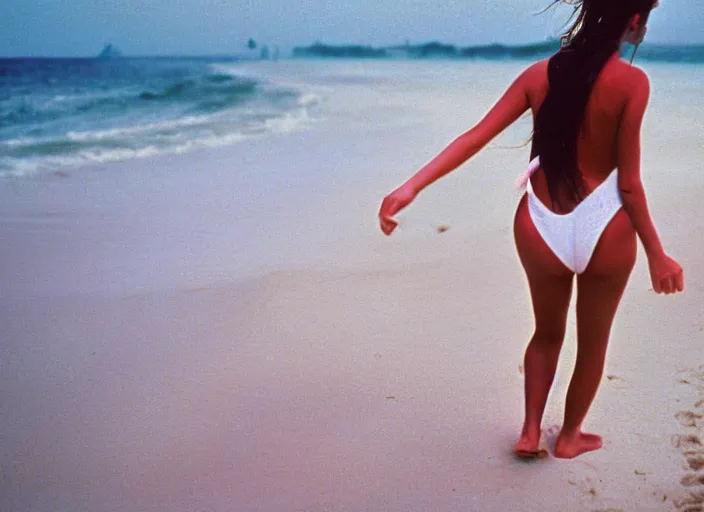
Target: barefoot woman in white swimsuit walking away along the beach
{"type": "Point", "coordinates": [579, 215]}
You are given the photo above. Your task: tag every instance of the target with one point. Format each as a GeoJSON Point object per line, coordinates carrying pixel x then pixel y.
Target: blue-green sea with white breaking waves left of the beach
{"type": "Point", "coordinates": [64, 113]}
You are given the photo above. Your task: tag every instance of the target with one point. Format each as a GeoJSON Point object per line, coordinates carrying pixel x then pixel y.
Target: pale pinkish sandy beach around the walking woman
{"type": "Point", "coordinates": [229, 329]}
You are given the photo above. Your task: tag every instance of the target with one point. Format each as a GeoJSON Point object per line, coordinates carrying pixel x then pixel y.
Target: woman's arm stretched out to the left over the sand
{"type": "Point", "coordinates": [514, 102]}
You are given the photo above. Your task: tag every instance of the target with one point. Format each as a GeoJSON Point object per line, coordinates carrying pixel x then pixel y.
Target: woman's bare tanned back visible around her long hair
{"type": "Point", "coordinates": [597, 149]}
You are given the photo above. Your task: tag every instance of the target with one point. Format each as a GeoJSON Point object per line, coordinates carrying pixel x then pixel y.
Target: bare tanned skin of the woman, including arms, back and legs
{"type": "Point", "coordinates": [609, 139]}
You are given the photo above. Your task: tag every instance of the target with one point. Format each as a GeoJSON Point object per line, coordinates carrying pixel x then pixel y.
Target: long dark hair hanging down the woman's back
{"type": "Point", "coordinates": [591, 40]}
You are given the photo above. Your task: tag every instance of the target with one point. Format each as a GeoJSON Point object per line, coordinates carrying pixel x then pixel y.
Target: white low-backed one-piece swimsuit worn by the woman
{"type": "Point", "coordinates": [573, 237]}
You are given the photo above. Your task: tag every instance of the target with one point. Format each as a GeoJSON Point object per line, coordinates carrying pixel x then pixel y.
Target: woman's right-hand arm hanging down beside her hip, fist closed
{"type": "Point", "coordinates": [665, 272]}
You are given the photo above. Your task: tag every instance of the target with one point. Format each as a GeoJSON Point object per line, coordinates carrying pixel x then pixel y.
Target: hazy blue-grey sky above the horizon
{"type": "Point", "coordinates": [76, 28]}
